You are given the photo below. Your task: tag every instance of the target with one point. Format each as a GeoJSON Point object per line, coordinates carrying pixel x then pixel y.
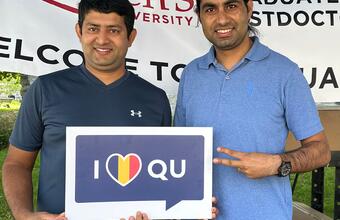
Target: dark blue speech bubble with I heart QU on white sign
{"type": "Point", "coordinates": [181, 155]}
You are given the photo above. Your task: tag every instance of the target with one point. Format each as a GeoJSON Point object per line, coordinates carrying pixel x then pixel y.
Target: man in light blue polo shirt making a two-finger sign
{"type": "Point", "coordinates": [252, 97]}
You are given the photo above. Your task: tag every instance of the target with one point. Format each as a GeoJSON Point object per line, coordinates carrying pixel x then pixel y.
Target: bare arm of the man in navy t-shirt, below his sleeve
{"type": "Point", "coordinates": [17, 184]}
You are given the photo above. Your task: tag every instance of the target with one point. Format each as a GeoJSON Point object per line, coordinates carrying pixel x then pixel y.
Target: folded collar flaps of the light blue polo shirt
{"type": "Point", "coordinates": [257, 52]}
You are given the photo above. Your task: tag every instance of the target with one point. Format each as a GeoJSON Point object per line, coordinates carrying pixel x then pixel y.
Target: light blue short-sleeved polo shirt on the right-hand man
{"type": "Point", "coordinates": [251, 108]}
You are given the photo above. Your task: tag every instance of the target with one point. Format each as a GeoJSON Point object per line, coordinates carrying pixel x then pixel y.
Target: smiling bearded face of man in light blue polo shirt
{"type": "Point", "coordinates": [225, 22]}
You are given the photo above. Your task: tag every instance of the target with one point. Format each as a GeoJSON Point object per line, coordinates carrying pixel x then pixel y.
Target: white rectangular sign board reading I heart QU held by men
{"type": "Point", "coordinates": [113, 172]}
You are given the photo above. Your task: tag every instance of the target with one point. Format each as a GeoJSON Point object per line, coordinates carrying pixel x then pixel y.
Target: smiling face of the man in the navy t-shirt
{"type": "Point", "coordinates": [105, 42]}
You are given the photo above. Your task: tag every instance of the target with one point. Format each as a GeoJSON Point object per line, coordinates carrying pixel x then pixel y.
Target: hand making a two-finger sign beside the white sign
{"type": "Point", "coordinates": [253, 165]}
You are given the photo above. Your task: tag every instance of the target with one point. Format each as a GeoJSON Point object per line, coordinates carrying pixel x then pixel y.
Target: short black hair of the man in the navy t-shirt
{"type": "Point", "coordinates": [121, 7]}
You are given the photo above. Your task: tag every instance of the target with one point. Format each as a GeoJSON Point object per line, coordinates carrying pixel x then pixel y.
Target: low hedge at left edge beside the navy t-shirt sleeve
{"type": "Point", "coordinates": [7, 119]}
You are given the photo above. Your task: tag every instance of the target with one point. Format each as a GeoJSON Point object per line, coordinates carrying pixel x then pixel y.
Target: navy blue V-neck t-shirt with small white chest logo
{"type": "Point", "coordinates": [74, 97]}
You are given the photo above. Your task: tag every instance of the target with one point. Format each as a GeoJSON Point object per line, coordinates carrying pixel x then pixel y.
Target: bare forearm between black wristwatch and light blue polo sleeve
{"type": "Point", "coordinates": [309, 156]}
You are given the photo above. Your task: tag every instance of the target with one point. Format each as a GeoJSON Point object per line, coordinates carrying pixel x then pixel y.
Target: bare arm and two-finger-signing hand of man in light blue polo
{"type": "Point", "coordinates": [313, 153]}
